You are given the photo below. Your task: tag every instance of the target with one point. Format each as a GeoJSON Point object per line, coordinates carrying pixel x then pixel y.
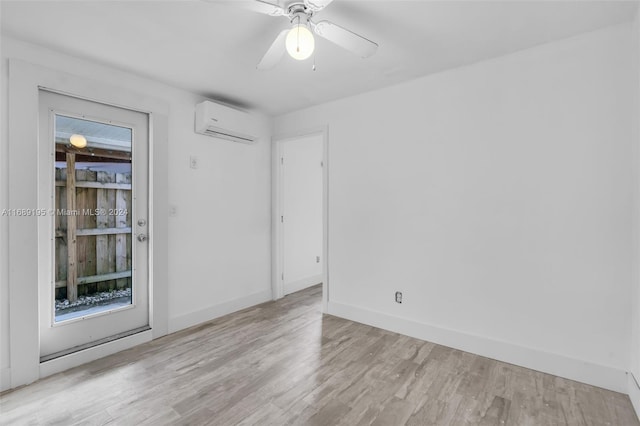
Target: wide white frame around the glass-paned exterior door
{"type": "Point", "coordinates": [25, 80]}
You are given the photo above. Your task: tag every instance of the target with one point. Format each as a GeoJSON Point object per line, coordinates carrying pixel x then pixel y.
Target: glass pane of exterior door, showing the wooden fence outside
{"type": "Point", "coordinates": [92, 251]}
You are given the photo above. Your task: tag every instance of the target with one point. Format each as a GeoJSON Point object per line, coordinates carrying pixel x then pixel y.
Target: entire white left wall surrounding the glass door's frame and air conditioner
{"type": "Point", "coordinates": [219, 240]}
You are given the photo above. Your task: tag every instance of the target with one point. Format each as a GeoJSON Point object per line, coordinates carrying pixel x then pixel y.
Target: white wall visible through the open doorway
{"type": "Point", "coordinates": [302, 210]}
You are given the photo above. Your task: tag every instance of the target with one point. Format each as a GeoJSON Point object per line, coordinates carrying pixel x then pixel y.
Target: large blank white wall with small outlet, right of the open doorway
{"type": "Point", "coordinates": [497, 197]}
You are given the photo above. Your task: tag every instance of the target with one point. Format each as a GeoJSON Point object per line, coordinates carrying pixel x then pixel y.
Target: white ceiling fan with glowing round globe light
{"type": "Point", "coordinates": [298, 40]}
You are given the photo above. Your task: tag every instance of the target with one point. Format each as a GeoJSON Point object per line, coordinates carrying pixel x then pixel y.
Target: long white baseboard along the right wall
{"type": "Point", "coordinates": [559, 365]}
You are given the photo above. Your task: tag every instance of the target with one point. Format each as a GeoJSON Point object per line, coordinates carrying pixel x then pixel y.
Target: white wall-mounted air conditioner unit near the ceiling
{"type": "Point", "coordinates": [224, 122]}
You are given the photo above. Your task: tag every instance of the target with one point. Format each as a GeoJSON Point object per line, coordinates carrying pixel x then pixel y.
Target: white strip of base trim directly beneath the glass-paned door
{"type": "Point", "coordinates": [91, 354]}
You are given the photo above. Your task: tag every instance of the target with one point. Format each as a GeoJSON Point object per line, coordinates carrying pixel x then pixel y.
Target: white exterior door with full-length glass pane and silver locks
{"type": "Point", "coordinates": [93, 209]}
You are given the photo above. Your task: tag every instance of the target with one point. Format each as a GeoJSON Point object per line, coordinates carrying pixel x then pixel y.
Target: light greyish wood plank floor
{"type": "Point", "coordinates": [284, 363]}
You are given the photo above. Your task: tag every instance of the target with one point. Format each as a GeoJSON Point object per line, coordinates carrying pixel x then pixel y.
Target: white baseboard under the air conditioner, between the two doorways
{"type": "Point", "coordinates": [212, 312]}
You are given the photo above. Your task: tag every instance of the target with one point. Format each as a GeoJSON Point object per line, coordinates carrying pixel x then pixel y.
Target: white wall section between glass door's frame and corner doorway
{"type": "Point", "coordinates": [220, 238]}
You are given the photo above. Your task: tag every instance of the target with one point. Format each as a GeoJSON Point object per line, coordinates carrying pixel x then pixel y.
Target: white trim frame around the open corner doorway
{"type": "Point", "coordinates": [277, 258]}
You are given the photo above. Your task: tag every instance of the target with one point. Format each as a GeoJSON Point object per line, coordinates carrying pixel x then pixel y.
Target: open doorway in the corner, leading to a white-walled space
{"type": "Point", "coordinates": [301, 214]}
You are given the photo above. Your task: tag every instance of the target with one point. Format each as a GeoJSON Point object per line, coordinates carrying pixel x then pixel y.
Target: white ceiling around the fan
{"type": "Point", "coordinates": [212, 48]}
